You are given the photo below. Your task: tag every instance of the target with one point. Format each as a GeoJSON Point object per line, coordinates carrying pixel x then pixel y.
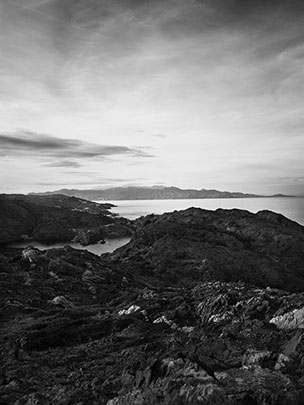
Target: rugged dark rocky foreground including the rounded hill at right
{"type": "Point", "coordinates": [200, 307]}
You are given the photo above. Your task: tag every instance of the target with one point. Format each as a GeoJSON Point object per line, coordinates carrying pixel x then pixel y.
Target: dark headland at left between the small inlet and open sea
{"type": "Point", "coordinates": [57, 218]}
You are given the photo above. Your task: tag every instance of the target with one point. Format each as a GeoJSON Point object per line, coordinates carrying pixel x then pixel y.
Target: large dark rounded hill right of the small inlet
{"type": "Point", "coordinates": [183, 247]}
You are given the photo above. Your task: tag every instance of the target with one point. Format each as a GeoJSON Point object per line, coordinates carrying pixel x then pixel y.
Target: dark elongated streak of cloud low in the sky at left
{"type": "Point", "coordinates": [26, 143]}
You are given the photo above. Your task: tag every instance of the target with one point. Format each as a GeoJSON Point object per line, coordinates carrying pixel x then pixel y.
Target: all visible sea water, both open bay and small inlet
{"type": "Point", "coordinates": [290, 207]}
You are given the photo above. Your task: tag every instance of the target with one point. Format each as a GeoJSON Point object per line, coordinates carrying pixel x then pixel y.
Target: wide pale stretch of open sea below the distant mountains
{"type": "Point", "coordinates": [290, 207]}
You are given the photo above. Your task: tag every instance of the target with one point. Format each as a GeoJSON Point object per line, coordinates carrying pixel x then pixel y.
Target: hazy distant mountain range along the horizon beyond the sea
{"type": "Point", "coordinates": [151, 193]}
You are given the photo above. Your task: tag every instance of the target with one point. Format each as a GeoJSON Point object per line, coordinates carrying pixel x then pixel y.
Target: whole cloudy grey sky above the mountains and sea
{"type": "Point", "coordinates": [190, 93]}
